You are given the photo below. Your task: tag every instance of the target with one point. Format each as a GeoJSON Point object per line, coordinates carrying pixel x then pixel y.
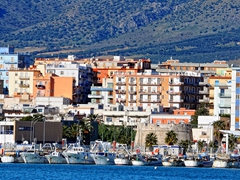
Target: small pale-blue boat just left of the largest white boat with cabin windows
{"type": "Point", "coordinates": [56, 157]}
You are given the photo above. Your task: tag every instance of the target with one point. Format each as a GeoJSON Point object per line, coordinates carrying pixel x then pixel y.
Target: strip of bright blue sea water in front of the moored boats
{"type": "Point", "coordinates": [96, 172]}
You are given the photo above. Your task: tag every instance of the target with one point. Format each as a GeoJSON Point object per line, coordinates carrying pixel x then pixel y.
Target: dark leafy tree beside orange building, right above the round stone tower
{"type": "Point", "coordinates": [201, 111]}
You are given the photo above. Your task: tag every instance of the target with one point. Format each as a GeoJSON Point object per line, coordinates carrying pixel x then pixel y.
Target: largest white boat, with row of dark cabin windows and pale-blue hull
{"type": "Point", "coordinates": [77, 154]}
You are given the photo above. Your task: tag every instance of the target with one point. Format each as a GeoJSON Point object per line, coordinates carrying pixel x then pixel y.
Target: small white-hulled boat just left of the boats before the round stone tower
{"type": "Point", "coordinates": [123, 155]}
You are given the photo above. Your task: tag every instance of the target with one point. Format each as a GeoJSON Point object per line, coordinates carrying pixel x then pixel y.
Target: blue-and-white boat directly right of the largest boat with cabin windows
{"type": "Point", "coordinates": [103, 153]}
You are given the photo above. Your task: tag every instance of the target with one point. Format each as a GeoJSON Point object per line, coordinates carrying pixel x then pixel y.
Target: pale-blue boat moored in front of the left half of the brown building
{"type": "Point", "coordinates": [34, 155]}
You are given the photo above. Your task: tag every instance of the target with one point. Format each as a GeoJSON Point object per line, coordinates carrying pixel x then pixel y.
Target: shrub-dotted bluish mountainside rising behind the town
{"type": "Point", "coordinates": [188, 30]}
